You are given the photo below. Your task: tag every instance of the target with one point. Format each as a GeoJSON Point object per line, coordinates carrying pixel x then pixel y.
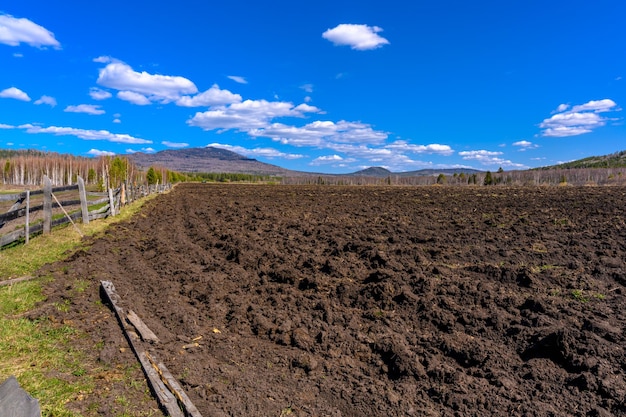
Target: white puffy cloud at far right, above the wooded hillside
{"type": "Point", "coordinates": [578, 119]}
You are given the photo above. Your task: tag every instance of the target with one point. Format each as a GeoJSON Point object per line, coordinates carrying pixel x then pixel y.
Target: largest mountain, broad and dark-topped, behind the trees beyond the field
{"type": "Point", "coordinates": [206, 159]}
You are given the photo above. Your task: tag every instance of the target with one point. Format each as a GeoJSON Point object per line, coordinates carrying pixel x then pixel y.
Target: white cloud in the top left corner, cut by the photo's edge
{"type": "Point", "coordinates": [14, 31]}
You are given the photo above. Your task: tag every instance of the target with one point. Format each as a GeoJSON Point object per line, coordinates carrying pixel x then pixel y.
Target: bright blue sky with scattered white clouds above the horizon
{"type": "Point", "coordinates": [324, 86]}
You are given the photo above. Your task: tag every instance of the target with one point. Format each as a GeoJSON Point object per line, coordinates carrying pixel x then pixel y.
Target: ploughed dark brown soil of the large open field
{"type": "Point", "coordinates": [367, 301]}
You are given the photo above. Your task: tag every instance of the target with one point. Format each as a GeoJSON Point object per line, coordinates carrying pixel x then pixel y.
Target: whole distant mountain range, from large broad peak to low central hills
{"type": "Point", "coordinates": [210, 159]}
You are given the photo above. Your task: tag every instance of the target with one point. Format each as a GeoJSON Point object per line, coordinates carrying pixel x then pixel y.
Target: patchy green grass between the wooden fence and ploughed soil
{"type": "Point", "coordinates": [39, 352]}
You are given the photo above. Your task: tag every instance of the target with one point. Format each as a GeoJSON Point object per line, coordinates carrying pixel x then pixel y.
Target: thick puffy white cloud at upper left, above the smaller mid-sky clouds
{"type": "Point", "coordinates": [159, 88]}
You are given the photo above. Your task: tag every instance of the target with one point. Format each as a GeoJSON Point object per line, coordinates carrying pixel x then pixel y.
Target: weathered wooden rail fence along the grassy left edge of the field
{"type": "Point", "coordinates": [44, 203]}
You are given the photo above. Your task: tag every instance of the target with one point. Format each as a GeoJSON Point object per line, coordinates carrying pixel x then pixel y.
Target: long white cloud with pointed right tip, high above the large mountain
{"type": "Point", "coordinates": [247, 115]}
